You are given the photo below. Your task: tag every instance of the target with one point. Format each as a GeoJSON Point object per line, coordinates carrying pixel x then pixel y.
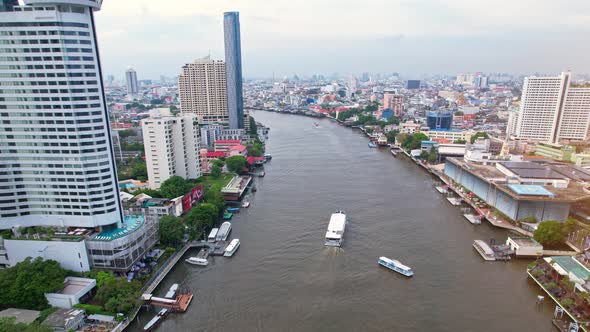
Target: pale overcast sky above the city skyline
{"type": "Point", "coordinates": [287, 37]}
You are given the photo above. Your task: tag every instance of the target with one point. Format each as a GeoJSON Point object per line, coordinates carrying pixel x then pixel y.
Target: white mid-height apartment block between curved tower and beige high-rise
{"type": "Point", "coordinates": [171, 147]}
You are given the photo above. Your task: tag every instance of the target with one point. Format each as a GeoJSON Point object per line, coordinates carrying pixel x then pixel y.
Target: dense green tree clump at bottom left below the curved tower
{"type": "Point", "coordinates": [24, 285]}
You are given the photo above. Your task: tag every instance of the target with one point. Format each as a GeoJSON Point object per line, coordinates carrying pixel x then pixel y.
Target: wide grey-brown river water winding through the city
{"type": "Point", "coordinates": [283, 278]}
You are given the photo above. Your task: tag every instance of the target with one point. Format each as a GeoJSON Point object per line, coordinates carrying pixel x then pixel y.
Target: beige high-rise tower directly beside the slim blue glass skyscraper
{"type": "Point", "coordinates": [203, 91]}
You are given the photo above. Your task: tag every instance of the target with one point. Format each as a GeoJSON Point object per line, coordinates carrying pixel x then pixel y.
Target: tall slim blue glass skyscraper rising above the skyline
{"type": "Point", "coordinates": [233, 61]}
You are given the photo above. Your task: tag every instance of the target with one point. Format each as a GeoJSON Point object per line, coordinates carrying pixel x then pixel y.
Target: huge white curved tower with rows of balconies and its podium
{"type": "Point", "coordinates": [57, 171]}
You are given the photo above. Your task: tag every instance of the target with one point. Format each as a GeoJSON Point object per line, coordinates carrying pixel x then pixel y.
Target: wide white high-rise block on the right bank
{"type": "Point", "coordinates": [553, 110]}
